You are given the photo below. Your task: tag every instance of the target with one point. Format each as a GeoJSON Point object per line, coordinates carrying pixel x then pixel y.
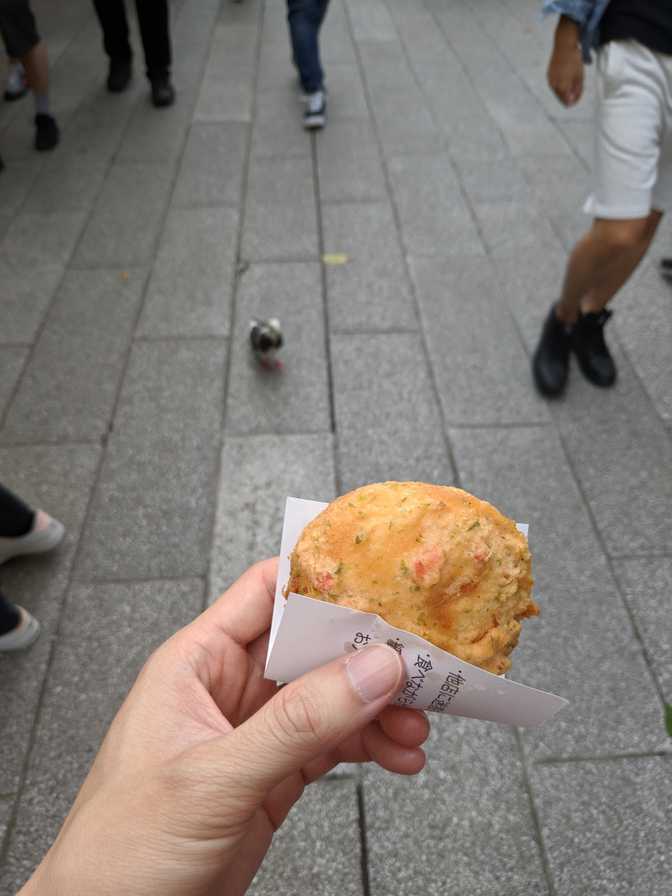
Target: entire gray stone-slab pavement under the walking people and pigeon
{"type": "Point", "coordinates": [130, 262]}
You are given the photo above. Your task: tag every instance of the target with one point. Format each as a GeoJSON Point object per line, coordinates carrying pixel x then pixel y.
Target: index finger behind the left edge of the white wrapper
{"type": "Point", "coordinates": [245, 609]}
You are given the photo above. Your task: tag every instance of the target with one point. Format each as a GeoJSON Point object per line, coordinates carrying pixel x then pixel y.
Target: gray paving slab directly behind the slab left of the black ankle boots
{"type": "Point", "coordinates": [435, 220]}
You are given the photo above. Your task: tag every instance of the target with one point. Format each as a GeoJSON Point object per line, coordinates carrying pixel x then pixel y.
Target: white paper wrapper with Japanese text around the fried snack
{"type": "Point", "coordinates": [306, 633]}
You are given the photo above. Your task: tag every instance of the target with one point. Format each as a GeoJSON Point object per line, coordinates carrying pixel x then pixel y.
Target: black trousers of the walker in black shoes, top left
{"type": "Point", "coordinates": [154, 30]}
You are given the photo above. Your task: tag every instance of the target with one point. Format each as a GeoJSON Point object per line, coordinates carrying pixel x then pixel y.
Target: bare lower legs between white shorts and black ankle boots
{"type": "Point", "coordinates": [602, 261]}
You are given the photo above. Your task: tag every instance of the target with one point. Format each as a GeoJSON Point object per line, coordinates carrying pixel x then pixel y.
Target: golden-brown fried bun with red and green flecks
{"type": "Point", "coordinates": [430, 559]}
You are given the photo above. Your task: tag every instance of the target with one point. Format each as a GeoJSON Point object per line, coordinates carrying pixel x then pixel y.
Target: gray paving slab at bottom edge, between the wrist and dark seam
{"type": "Point", "coordinates": [332, 864]}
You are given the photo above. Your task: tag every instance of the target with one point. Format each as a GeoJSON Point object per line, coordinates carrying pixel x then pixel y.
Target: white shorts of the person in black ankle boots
{"type": "Point", "coordinates": [633, 137]}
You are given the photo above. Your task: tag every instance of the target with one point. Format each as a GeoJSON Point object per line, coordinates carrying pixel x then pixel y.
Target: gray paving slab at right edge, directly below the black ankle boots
{"type": "Point", "coordinates": [622, 455]}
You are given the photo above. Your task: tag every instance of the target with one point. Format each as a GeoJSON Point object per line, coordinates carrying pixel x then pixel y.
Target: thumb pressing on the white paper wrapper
{"type": "Point", "coordinates": [309, 717]}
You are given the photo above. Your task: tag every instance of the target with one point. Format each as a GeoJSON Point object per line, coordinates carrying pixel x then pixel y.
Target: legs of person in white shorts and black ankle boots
{"type": "Point", "coordinates": [630, 113]}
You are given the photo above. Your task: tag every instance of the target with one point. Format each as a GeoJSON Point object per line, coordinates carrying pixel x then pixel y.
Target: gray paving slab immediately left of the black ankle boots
{"type": "Point", "coordinates": [480, 365]}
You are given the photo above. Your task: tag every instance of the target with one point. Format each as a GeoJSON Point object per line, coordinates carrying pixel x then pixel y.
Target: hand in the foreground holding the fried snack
{"type": "Point", "coordinates": [205, 758]}
